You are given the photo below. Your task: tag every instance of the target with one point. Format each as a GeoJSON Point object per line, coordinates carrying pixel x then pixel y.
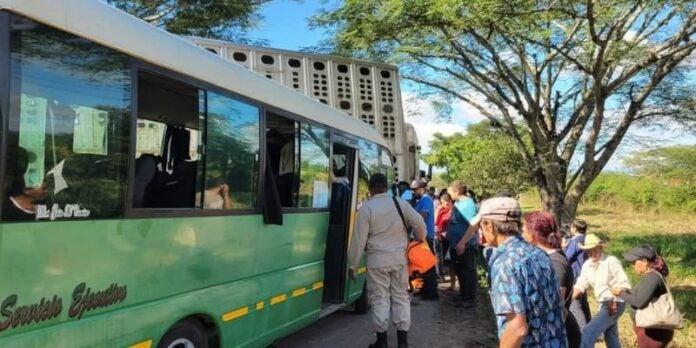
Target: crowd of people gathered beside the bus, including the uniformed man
{"type": "Point", "coordinates": [539, 277]}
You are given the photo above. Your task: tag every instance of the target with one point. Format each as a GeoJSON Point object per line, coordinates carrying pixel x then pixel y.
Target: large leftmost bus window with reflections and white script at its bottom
{"type": "Point", "coordinates": [68, 134]}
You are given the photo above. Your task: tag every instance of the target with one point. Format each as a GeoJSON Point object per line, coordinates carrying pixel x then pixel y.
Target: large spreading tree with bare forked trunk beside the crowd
{"type": "Point", "coordinates": [577, 74]}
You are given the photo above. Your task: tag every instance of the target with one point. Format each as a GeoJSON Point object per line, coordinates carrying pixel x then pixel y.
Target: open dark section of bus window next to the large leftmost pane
{"type": "Point", "coordinates": [167, 166]}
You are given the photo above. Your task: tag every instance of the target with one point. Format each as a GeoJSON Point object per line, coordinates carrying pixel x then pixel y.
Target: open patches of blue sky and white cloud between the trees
{"type": "Point", "coordinates": [285, 26]}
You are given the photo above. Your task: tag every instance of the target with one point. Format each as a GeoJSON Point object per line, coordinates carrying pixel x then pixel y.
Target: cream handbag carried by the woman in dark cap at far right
{"type": "Point", "coordinates": [660, 313]}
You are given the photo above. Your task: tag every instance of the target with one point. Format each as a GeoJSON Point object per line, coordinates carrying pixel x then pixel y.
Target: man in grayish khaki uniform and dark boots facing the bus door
{"type": "Point", "coordinates": [381, 234]}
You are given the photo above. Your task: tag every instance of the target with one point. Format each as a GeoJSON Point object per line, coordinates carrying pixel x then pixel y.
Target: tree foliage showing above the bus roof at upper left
{"type": "Point", "coordinates": [222, 19]}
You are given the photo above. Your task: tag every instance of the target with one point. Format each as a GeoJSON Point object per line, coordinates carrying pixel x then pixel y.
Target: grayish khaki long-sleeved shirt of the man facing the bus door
{"type": "Point", "coordinates": [380, 233]}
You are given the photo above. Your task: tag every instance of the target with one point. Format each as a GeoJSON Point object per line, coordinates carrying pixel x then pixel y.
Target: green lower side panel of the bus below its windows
{"type": "Point", "coordinates": [172, 268]}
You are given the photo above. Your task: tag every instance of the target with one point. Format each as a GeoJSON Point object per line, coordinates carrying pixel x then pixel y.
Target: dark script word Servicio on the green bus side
{"type": "Point", "coordinates": [27, 314]}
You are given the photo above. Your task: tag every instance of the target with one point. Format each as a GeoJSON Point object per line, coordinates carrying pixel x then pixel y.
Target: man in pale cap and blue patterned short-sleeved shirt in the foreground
{"type": "Point", "coordinates": [524, 291]}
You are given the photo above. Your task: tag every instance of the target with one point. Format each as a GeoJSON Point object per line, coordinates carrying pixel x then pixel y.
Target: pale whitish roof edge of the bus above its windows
{"type": "Point", "coordinates": [110, 27]}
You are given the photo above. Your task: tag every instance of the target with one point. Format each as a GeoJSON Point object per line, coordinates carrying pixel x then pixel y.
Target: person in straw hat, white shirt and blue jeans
{"type": "Point", "coordinates": [601, 272]}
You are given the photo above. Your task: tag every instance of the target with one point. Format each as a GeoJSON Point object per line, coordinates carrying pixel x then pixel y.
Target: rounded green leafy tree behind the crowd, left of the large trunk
{"type": "Point", "coordinates": [485, 158]}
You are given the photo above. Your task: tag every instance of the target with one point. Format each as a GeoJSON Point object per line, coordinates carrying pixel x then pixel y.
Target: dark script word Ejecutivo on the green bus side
{"type": "Point", "coordinates": [84, 300]}
